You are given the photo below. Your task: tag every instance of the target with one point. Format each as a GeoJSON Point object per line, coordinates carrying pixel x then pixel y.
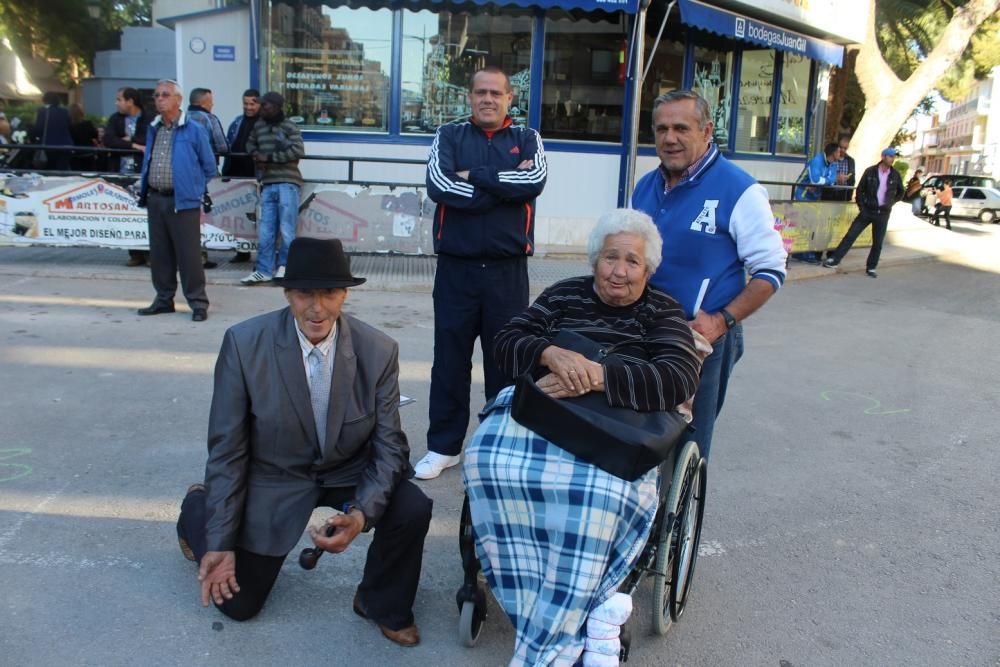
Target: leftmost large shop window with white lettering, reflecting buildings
{"type": "Point", "coordinates": [332, 64]}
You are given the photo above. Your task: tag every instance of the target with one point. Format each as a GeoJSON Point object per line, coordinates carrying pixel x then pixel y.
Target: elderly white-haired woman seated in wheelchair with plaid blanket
{"type": "Point", "coordinates": [557, 536]}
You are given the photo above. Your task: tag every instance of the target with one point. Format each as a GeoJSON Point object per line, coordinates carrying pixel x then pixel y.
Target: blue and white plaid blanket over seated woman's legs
{"type": "Point", "coordinates": [556, 536]}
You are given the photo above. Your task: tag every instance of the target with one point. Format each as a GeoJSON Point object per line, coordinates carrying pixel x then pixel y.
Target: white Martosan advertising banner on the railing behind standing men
{"type": "Point", "coordinates": [76, 211]}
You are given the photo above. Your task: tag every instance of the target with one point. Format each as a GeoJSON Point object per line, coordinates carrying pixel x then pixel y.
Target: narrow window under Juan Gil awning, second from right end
{"type": "Point", "coordinates": [753, 121]}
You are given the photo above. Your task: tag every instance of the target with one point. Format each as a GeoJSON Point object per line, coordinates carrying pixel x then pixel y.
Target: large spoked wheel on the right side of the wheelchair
{"type": "Point", "coordinates": [678, 537]}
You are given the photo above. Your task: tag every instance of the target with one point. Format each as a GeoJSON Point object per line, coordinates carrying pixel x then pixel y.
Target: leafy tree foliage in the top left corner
{"type": "Point", "coordinates": [64, 30]}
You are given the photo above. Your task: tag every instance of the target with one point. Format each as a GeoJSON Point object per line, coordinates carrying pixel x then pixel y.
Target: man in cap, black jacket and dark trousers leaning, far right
{"type": "Point", "coordinates": [880, 187]}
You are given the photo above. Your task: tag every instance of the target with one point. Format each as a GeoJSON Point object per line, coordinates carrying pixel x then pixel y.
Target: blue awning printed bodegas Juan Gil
{"type": "Point", "coordinates": [735, 26]}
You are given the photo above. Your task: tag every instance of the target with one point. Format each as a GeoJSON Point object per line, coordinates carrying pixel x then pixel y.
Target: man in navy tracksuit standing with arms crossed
{"type": "Point", "coordinates": [484, 173]}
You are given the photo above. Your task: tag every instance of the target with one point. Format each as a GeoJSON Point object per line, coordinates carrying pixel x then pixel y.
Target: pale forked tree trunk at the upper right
{"type": "Point", "coordinates": [890, 101]}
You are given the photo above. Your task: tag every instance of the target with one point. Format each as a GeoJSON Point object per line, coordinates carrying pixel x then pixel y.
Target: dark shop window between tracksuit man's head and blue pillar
{"type": "Point", "coordinates": [583, 85]}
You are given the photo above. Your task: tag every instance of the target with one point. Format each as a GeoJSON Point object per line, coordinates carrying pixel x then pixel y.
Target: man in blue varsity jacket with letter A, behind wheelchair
{"type": "Point", "coordinates": [717, 226]}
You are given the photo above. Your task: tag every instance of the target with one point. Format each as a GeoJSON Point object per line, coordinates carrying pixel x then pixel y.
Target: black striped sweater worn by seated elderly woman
{"type": "Point", "coordinates": [653, 328]}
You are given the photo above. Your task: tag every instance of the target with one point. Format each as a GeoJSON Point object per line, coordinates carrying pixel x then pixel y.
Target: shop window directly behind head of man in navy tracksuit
{"type": "Point", "coordinates": [441, 52]}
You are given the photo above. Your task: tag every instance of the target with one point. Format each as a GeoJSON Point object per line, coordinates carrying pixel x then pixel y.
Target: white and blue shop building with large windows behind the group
{"type": "Point", "coordinates": [373, 79]}
